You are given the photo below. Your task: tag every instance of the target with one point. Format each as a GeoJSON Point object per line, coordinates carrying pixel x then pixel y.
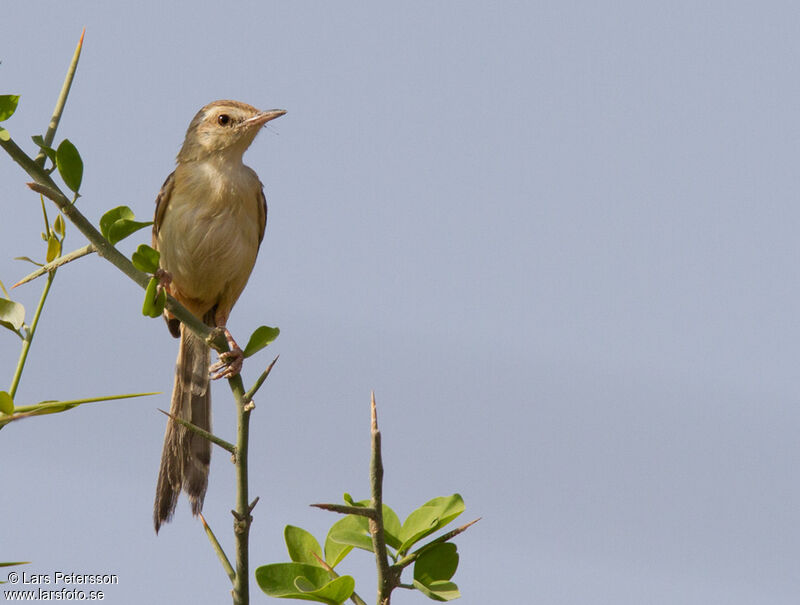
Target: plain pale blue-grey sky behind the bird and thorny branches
{"type": "Point", "coordinates": [559, 241]}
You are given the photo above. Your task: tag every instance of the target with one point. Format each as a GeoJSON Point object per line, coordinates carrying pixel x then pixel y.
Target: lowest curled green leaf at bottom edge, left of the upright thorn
{"type": "Point", "coordinates": [304, 582]}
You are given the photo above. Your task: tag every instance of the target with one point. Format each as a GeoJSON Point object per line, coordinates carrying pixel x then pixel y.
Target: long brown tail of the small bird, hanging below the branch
{"type": "Point", "coordinates": [186, 456]}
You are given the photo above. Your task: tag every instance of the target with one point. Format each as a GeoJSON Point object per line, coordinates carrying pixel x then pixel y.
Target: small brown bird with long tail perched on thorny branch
{"type": "Point", "coordinates": [209, 222]}
